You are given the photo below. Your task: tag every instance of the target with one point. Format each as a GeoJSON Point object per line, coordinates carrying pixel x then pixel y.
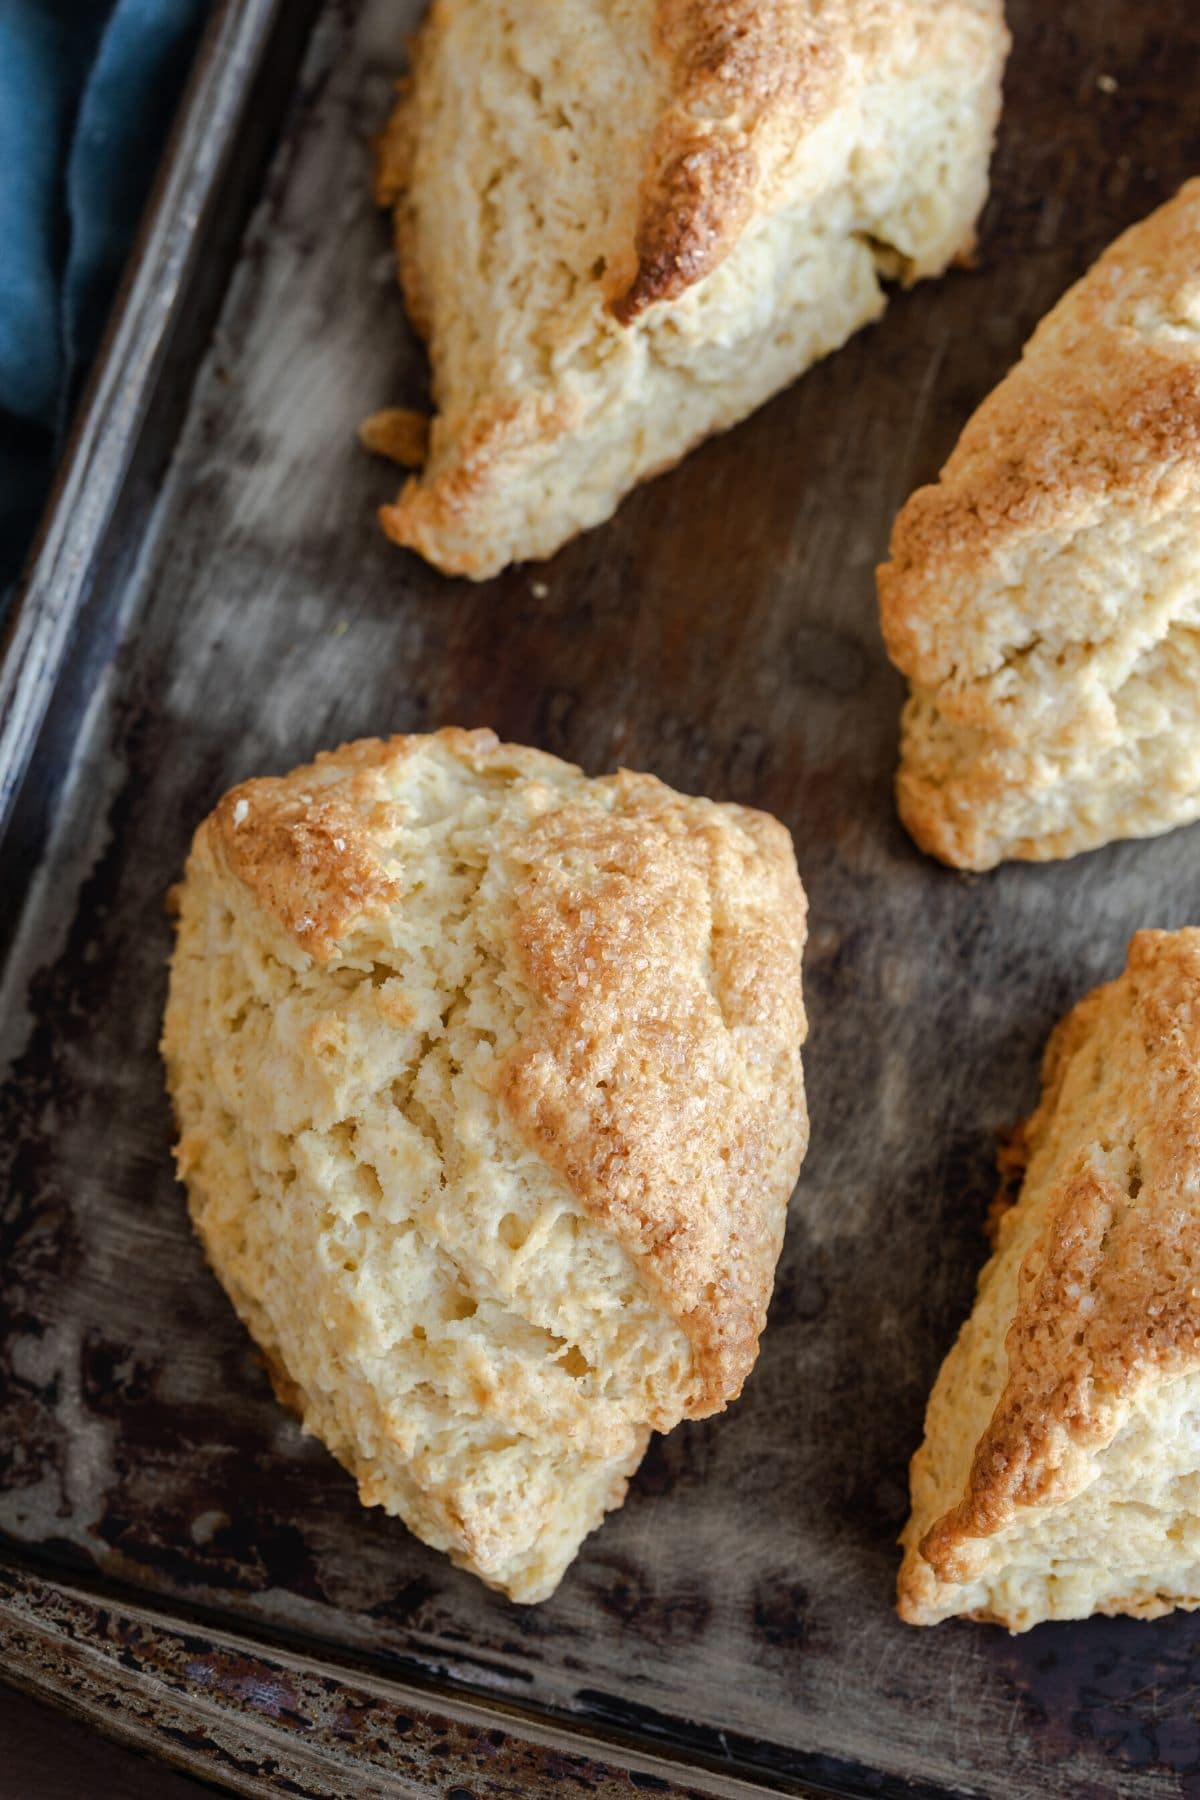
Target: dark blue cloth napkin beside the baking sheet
{"type": "Point", "coordinates": [87, 94]}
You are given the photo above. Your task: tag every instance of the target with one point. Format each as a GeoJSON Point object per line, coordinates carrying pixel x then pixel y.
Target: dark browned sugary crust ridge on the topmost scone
{"type": "Point", "coordinates": [737, 66]}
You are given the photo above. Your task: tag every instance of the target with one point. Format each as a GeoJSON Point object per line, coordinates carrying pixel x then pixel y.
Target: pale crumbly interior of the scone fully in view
{"type": "Point", "coordinates": [494, 1354]}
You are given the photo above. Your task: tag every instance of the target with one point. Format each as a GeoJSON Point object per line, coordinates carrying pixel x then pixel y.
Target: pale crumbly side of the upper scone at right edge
{"type": "Point", "coordinates": [1093, 724]}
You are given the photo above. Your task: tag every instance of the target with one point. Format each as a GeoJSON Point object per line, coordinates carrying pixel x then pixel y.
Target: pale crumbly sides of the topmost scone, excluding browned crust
{"type": "Point", "coordinates": [514, 247]}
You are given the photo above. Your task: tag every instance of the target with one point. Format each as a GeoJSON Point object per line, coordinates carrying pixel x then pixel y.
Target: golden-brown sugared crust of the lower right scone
{"type": "Point", "coordinates": [1138, 1266]}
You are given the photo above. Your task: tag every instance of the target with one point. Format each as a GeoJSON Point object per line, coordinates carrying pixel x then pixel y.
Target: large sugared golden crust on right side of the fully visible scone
{"type": "Point", "coordinates": [622, 1081]}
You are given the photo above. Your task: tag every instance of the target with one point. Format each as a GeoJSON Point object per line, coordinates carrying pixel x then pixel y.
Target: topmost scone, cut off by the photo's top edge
{"type": "Point", "coordinates": [622, 229]}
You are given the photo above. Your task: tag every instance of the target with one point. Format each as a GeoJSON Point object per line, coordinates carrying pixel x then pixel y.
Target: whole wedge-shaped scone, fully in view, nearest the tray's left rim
{"type": "Point", "coordinates": [490, 1104]}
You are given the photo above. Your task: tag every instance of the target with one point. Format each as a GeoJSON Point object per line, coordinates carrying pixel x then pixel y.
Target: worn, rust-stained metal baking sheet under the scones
{"type": "Point", "coordinates": [213, 600]}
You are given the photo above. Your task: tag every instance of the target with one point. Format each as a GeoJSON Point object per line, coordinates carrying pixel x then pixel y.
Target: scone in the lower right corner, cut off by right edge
{"type": "Point", "coordinates": [1061, 1471]}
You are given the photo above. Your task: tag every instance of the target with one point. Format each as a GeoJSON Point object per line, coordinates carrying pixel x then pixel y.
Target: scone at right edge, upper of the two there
{"type": "Point", "coordinates": [1044, 598]}
